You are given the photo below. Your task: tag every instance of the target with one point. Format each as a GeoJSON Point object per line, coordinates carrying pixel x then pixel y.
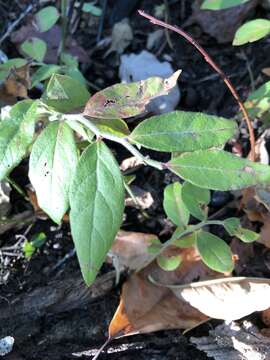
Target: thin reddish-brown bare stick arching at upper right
{"type": "Point", "coordinates": [211, 62]}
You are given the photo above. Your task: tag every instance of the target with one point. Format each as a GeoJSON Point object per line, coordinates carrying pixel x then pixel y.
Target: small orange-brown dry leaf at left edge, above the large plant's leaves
{"type": "Point", "coordinates": [15, 85]}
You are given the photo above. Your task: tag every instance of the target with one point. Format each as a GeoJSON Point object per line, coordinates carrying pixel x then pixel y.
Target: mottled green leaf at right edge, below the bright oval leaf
{"type": "Point", "coordinates": [258, 102]}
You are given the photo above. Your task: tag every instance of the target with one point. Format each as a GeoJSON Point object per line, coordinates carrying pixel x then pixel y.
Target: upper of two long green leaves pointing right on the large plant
{"type": "Point", "coordinates": [183, 131]}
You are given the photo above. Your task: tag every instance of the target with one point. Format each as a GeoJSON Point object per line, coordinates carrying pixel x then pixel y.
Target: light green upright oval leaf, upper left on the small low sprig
{"type": "Point", "coordinates": [174, 206]}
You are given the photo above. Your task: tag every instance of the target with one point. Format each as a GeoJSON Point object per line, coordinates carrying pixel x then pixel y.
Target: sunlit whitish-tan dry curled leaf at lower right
{"type": "Point", "coordinates": [228, 298]}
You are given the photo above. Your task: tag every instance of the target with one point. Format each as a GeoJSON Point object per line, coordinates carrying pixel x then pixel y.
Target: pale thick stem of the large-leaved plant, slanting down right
{"type": "Point", "coordinates": [123, 141]}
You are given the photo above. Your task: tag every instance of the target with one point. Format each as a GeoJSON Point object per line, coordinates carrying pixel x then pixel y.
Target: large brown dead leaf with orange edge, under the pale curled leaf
{"type": "Point", "coordinates": [146, 307]}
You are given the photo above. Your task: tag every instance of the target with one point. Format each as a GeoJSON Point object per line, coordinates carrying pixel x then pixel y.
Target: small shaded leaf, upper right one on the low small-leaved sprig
{"type": "Point", "coordinates": [196, 199]}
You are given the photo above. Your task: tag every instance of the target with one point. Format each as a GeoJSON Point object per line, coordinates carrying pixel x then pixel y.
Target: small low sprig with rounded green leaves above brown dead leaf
{"type": "Point", "coordinates": [181, 201]}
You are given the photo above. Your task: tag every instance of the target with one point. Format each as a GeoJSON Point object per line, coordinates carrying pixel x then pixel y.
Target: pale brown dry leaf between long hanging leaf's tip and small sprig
{"type": "Point", "coordinates": [130, 249]}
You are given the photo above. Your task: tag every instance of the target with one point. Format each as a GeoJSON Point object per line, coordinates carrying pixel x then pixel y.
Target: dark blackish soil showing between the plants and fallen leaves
{"type": "Point", "coordinates": [61, 331]}
